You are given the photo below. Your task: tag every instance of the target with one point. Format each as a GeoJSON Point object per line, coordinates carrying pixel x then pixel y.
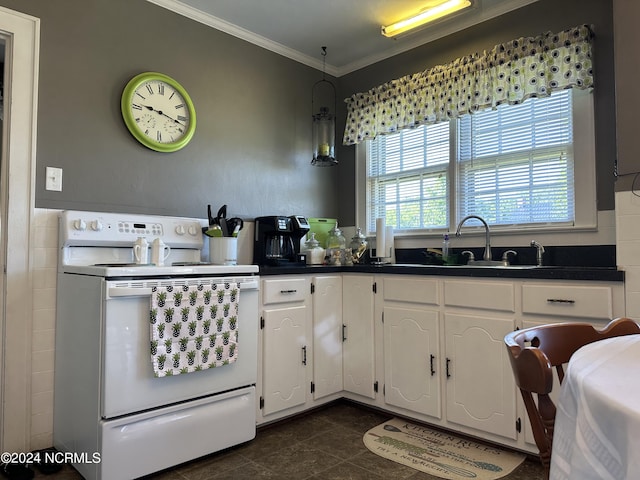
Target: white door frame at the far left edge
{"type": "Point", "coordinates": [20, 35]}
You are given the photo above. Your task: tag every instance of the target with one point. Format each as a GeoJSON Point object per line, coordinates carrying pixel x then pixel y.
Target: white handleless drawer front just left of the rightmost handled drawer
{"type": "Point", "coordinates": [478, 294]}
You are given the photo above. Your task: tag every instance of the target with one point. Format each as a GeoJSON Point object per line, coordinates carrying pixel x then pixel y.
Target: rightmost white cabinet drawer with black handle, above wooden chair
{"type": "Point", "coordinates": [568, 301]}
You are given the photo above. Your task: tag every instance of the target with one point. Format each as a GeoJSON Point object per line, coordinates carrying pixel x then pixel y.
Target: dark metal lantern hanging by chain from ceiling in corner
{"type": "Point", "coordinates": [324, 125]}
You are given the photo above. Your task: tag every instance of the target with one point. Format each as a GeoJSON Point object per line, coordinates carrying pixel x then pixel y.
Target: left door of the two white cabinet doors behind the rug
{"type": "Point", "coordinates": [411, 354]}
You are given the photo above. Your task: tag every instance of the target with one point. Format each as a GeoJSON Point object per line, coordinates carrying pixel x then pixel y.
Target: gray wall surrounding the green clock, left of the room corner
{"type": "Point", "coordinates": [252, 146]}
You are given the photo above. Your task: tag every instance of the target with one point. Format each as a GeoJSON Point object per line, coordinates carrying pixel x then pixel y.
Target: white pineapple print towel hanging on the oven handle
{"type": "Point", "coordinates": [193, 327]}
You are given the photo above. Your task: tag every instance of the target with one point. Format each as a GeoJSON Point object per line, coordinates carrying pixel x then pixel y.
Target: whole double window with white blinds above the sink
{"type": "Point", "coordinates": [514, 166]}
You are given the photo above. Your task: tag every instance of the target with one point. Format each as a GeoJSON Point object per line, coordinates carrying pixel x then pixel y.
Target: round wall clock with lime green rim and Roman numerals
{"type": "Point", "coordinates": [158, 112]}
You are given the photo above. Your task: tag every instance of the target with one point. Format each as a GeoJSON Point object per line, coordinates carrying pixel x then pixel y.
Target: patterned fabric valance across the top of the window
{"type": "Point", "coordinates": [508, 73]}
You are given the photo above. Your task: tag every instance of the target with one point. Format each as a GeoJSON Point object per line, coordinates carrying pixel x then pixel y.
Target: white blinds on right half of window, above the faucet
{"type": "Point", "coordinates": [516, 162]}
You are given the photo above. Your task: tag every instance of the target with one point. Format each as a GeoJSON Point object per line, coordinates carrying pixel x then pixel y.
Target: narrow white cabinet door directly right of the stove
{"type": "Point", "coordinates": [284, 358]}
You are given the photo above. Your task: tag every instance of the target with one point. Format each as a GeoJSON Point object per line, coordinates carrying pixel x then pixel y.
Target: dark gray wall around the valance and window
{"type": "Point", "coordinates": [542, 16]}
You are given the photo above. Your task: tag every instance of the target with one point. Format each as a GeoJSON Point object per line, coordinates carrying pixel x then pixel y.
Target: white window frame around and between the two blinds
{"type": "Point", "coordinates": [584, 180]}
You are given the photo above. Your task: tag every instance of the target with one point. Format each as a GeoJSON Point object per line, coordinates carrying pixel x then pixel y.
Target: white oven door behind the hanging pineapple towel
{"type": "Point", "coordinates": [128, 381]}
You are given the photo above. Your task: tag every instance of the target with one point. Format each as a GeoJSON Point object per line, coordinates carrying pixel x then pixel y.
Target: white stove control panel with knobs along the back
{"type": "Point", "coordinates": [78, 228]}
